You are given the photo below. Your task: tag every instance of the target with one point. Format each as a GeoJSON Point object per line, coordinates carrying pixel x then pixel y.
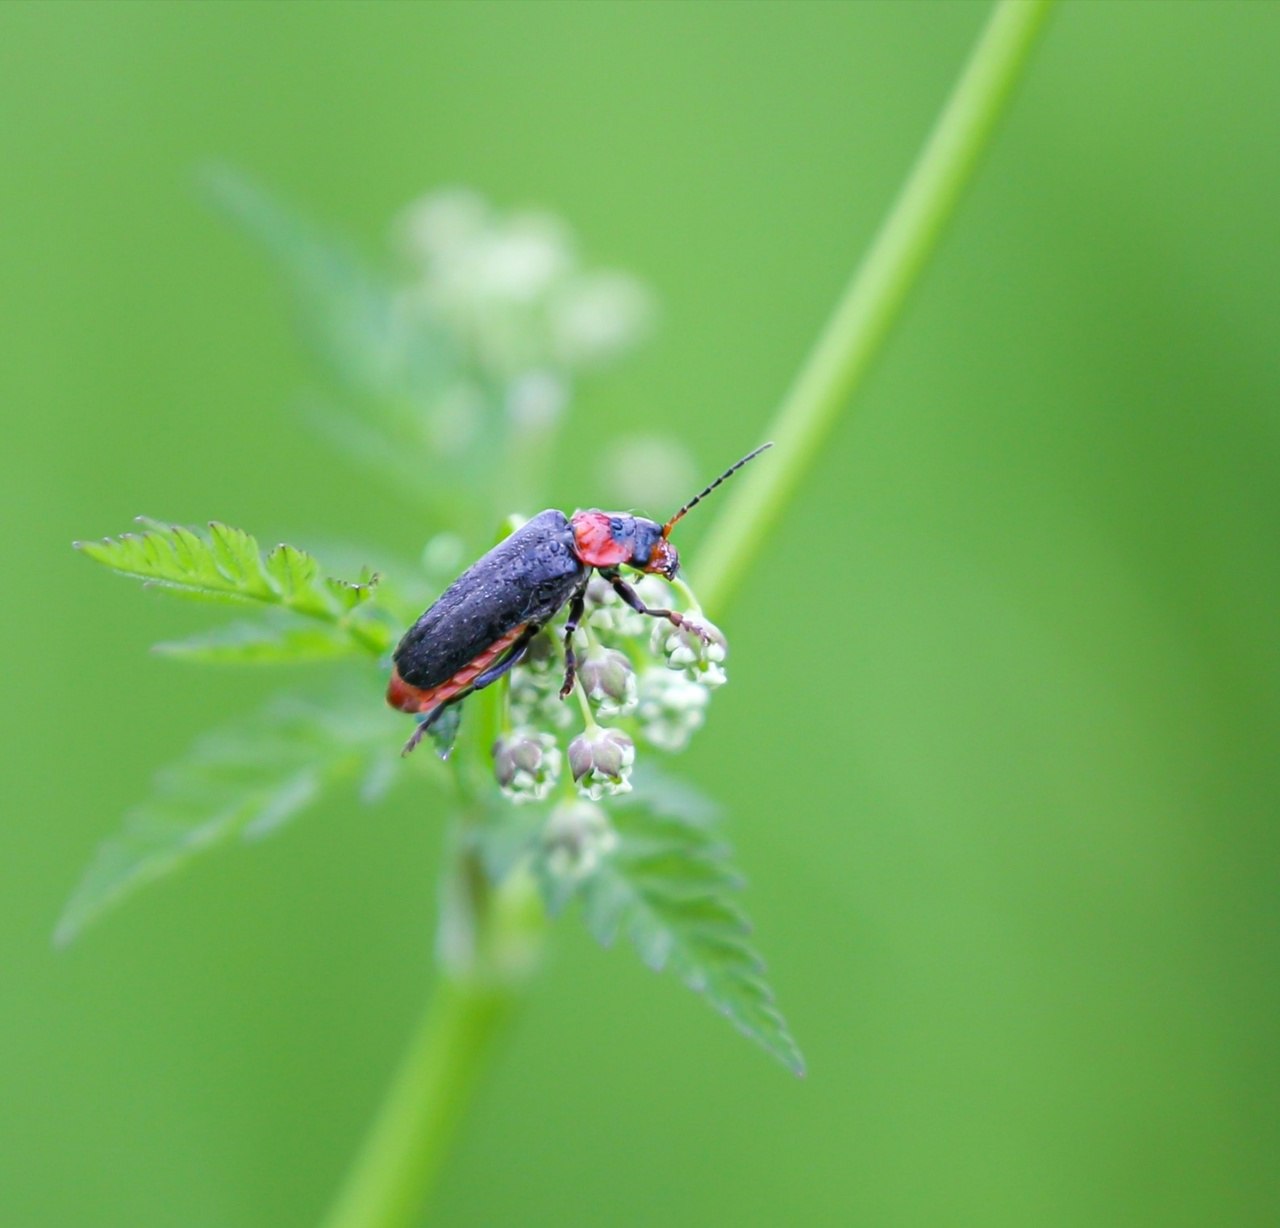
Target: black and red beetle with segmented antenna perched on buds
{"type": "Point", "coordinates": [484, 622]}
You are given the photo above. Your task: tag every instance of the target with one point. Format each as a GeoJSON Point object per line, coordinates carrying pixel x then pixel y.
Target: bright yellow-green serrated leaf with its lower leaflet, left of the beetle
{"type": "Point", "coordinates": [227, 565]}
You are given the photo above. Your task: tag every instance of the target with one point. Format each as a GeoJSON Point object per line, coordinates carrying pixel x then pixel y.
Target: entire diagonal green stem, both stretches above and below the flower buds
{"type": "Point", "coordinates": [404, 1154]}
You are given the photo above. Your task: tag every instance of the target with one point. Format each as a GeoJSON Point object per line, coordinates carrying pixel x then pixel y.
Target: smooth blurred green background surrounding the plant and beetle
{"type": "Point", "coordinates": [1000, 747]}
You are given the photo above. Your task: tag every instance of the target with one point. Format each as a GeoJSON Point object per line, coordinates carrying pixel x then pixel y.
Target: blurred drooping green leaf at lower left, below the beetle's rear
{"type": "Point", "coordinates": [246, 779]}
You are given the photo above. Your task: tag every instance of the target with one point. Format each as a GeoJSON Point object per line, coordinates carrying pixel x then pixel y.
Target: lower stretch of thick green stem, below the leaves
{"type": "Point", "coordinates": [410, 1139]}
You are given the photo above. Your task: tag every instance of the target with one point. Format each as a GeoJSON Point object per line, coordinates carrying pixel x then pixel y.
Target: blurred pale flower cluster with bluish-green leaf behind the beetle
{"type": "Point", "coordinates": [450, 373]}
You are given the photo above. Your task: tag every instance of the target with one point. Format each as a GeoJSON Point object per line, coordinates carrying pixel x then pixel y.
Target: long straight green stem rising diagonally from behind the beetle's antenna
{"type": "Point", "coordinates": [874, 298]}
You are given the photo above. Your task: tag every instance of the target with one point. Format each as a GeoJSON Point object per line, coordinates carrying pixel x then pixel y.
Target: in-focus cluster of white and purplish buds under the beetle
{"type": "Point", "coordinates": [641, 682]}
